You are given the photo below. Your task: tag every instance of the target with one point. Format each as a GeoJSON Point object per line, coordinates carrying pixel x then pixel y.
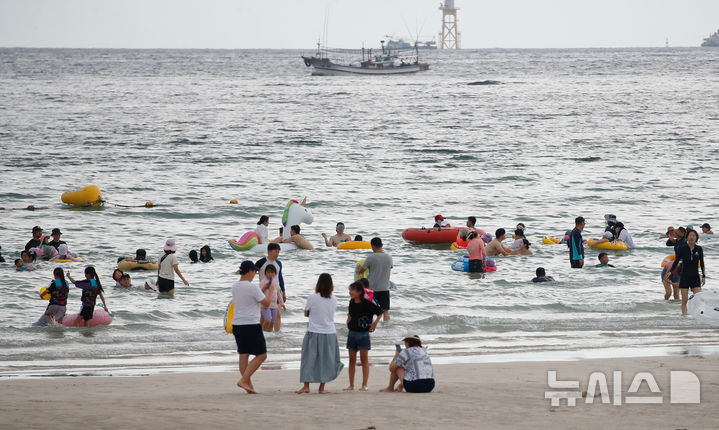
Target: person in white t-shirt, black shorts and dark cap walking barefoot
{"type": "Point", "coordinates": [246, 327]}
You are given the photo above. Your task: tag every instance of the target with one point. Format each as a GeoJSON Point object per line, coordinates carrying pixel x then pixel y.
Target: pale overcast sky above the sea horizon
{"type": "Point", "coordinates": [298, 24]}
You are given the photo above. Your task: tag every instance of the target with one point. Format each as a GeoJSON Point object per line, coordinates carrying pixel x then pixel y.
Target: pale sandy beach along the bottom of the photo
{"type": "Point", "coordinates": [490, 395]}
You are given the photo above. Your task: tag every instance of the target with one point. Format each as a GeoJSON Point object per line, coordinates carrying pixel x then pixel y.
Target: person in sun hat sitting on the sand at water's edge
{"type": "Point", "coordinates": [412, 367]}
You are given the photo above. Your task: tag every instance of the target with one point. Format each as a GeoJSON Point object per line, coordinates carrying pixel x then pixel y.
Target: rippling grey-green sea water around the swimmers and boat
{"type": "Point", "coordinates": [633, 132]}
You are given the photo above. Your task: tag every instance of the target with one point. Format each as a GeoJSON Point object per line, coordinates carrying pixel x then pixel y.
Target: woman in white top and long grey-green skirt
{"type": "Point", "coordinates": [320, 350]}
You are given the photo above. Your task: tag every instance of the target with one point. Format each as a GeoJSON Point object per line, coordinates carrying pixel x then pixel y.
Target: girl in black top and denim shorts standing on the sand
{"type": "Point", "coordinates": [360, 325]}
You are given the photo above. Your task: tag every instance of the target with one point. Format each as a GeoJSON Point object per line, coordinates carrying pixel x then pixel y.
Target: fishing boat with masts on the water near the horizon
{"type": "Point", "coordinates": [328, 62]}
